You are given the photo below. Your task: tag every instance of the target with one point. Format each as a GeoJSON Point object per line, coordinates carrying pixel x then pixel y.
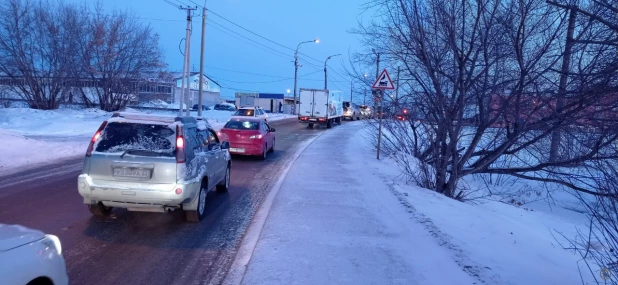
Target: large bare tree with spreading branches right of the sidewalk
{"type": "Point", "coordinates": [485, 76]}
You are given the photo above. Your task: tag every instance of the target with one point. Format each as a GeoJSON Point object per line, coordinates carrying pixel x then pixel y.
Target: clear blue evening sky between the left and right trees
{"type": "Point", "coordinates": [236, 61]}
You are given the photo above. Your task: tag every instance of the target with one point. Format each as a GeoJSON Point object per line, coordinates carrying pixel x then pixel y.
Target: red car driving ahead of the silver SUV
{"type": "Point", "coordinates": [249, 136]}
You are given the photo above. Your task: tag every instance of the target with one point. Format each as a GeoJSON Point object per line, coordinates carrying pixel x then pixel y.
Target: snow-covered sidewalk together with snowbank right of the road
{"type": "Point", "coordinates": [354, 220]}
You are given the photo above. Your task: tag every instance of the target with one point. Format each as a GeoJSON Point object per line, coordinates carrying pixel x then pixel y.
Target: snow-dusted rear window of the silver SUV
{"type": "Point", "coordinates": [123, 137]}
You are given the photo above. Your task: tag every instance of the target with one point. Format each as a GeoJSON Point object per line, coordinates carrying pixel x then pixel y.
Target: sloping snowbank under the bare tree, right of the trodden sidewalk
{"type": "Point", "coordinates": [518, 240]}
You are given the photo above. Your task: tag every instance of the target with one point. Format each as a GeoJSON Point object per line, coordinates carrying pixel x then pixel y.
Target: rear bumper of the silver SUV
{"type": "Point", "coordinates": [139, 199]}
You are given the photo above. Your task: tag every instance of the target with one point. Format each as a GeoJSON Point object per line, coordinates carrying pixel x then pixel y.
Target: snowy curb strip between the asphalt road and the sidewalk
{"type": "Point", "coordinates": [237, 271]}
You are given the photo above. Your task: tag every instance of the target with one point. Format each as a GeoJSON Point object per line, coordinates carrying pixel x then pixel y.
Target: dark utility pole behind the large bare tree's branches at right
{"type": "Point", "coordinates": [556, 135]}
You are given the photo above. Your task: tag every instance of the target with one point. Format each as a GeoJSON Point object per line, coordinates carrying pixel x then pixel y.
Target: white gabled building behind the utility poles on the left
{"type": "Point", "coordinates": [211, 94]}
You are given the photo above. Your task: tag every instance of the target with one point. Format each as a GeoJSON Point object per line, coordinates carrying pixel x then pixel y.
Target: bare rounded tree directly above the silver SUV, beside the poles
{"type": "Point", "coordinates": [116, 51]}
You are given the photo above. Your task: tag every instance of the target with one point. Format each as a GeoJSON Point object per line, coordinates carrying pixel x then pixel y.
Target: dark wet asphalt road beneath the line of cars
{"type": "Point", "coordinates": [146, 248]}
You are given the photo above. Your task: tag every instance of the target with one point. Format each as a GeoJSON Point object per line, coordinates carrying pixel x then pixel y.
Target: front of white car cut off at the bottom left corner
{"type": "Point", "coordinates": [29, 256]}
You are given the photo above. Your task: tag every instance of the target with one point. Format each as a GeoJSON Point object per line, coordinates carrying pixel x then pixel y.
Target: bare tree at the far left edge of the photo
{"type": "Point", "coordinates": [37, 49]}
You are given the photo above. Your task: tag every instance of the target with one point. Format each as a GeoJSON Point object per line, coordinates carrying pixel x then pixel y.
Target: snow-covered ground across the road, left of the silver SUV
{"type": "Point", "coordinates": [35, 137]}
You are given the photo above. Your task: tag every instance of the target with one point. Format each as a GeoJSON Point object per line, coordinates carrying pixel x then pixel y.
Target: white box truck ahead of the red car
{"type": "Point", "coordinates": [318, 106]}
